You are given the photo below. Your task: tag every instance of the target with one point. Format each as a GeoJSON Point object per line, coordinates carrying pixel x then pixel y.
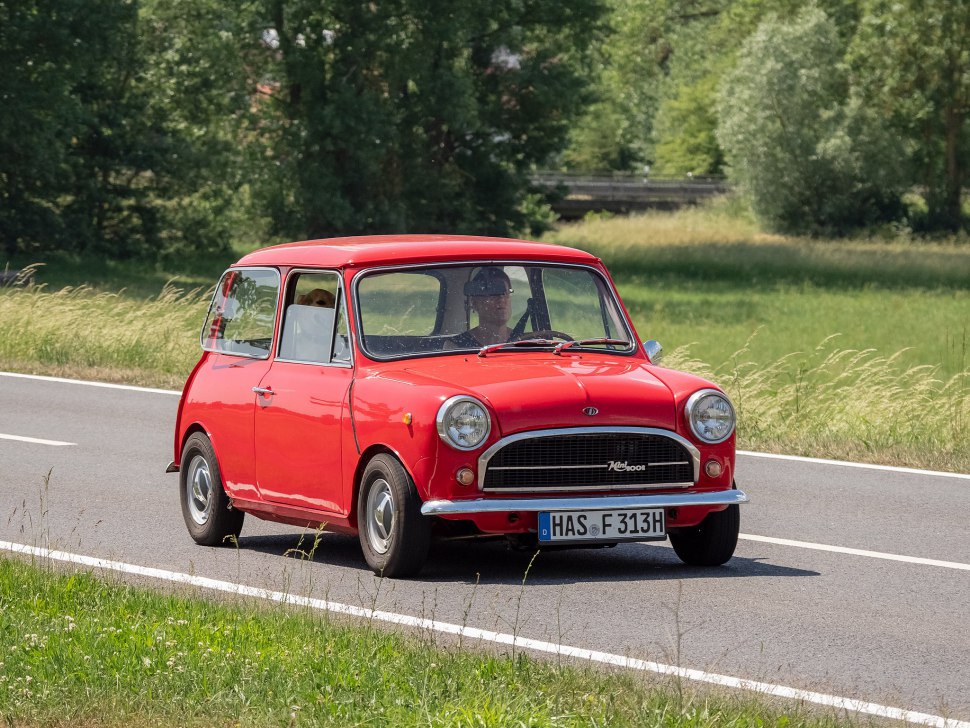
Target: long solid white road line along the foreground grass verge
{"type": "Point", "coordinates": [781, 691]}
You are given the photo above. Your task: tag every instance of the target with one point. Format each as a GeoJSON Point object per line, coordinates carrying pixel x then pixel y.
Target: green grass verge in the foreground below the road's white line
{"type": "Point", "coordinates": [77, 651]}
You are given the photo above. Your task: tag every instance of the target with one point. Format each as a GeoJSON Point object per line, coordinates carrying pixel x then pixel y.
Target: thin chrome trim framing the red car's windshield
{"type": "Point", "coordinates": [355, 290]}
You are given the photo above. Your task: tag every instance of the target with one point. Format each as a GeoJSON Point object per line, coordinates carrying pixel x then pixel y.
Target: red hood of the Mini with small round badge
{"type": "Point", "coordinates": [529, 391]}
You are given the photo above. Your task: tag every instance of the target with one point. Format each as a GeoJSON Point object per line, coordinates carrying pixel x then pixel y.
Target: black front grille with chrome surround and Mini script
{"type": "Point", "coordinates": [679, 458]}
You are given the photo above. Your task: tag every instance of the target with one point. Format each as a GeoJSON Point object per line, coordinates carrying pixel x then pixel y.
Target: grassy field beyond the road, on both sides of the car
{"type": "Point", "coordinates": [841, 349]}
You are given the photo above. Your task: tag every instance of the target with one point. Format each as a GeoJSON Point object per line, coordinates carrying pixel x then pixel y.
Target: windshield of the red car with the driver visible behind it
{"type": "Point", "coordinates": [417, 311]}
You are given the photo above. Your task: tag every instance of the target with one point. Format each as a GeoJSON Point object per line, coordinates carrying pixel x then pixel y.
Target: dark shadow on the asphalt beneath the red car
{"type": "Point", "coordinates": [492, 562]}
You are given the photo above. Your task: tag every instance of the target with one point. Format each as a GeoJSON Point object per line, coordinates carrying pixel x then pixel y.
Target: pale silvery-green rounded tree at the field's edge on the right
{"type": "Point", "coordinates": [810, 160]}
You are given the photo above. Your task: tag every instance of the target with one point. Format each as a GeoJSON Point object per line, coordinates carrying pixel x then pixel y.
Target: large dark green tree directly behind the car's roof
{"type": "Point", "coordinates": [411, 114]}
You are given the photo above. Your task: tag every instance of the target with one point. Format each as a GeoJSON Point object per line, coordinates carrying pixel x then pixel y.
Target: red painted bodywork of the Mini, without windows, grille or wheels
{"type": "Point", "coordinates": [296, 456]}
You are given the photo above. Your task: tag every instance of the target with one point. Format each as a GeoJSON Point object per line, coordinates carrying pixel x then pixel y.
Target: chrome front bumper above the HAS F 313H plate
{"type": "Point", "coordinates": [502, 505]}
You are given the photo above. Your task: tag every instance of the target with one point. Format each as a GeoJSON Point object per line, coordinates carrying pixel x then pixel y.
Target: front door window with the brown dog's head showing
{"type": "Point", "coordinates": [314, 321]}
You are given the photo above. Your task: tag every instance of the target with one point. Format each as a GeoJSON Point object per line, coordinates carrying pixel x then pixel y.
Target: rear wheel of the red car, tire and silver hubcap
{"type": "Point", "coordinates": [208, 513]}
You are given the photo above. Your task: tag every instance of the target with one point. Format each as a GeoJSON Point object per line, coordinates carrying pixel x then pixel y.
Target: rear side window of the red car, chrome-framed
{"type": "Point", "coordinates": [243, 311]}
